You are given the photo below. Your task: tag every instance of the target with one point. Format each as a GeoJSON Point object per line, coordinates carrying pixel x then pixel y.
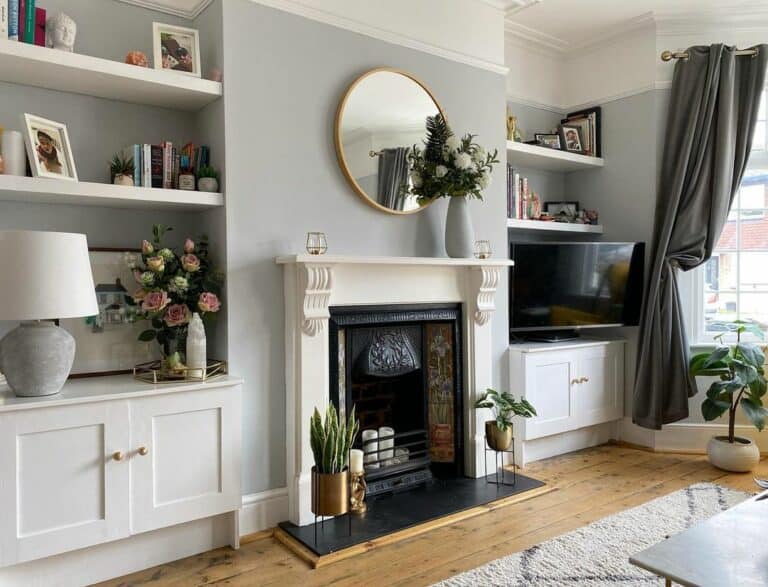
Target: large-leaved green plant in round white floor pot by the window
{"type": "Point", "coordinates": [740, 383]}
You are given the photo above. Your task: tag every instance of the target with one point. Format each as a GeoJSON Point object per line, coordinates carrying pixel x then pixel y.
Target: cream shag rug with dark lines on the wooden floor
{"type": "Point", "coordinates": [598, 554]}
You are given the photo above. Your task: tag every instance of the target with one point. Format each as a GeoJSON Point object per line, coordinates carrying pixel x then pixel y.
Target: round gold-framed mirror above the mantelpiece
{"type": "Point", "coordinates": [381, 116]}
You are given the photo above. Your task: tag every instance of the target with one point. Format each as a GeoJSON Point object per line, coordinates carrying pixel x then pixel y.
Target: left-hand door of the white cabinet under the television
{"type": "Point", "coordinates": [548, 380]}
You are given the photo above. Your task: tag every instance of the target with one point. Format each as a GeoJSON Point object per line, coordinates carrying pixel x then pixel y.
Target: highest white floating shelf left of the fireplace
{"type": "Point", "coordinates": [21, 63]}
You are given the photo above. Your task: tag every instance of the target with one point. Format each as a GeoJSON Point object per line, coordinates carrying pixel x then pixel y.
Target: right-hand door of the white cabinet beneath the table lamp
{"type": "Point", "coordinates": [191, 465]}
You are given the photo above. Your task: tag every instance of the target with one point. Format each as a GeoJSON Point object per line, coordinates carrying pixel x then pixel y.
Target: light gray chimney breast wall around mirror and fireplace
{"type": "Point", "coordinates": [284, 76]}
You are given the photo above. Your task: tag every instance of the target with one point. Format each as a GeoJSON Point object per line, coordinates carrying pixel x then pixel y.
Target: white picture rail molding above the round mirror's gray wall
{"type": "Point", "coordinates": [382, 34]}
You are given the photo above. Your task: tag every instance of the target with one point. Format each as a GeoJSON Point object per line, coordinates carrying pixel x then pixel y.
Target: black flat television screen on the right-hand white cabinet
{"type": "Point", "coordinates": [563, 286]}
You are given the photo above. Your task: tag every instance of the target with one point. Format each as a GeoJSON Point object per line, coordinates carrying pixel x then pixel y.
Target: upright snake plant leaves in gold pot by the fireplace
{"type": "Point", "coordinates": [331, 439]}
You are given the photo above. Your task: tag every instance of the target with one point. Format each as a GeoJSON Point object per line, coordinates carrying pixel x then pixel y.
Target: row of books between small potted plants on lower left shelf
{"type": "Point", "coordinates": [159, 166]}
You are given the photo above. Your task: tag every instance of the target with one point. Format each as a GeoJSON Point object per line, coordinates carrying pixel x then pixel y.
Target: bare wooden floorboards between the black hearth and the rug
{"type": "Point", "coordinates": [589, 484]}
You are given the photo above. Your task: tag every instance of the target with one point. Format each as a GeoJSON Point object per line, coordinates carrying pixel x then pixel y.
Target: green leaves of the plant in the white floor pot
{"type": "Point", "coordinates": [740, 379]}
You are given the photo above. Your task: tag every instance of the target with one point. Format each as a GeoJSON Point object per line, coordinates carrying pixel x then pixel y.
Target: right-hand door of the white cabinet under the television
{"type": "Point", "coordinates": [599, 395]}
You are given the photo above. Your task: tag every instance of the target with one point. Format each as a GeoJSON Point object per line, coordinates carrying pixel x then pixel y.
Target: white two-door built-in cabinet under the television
{"type": "Point", "coordinates": [572, 385]}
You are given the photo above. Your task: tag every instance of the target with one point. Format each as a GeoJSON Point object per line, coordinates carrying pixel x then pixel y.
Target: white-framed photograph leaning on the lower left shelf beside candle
{"type": "Point", "coordinates": [48, 148]}
